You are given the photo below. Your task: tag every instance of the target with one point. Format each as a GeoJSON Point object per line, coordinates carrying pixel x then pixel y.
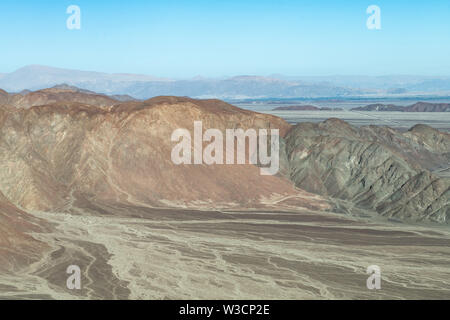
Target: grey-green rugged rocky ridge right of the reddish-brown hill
{"type": "Point", "coordinates": [376, 168]}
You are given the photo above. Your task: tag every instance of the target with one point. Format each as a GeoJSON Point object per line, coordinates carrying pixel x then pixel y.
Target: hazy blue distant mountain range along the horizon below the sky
{"type": "Point", "coordinates": [36, 77]}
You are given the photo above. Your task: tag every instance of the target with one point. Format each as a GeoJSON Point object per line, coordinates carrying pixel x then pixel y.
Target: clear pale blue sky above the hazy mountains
{"type": "Point", "coordinates": [182, 39]}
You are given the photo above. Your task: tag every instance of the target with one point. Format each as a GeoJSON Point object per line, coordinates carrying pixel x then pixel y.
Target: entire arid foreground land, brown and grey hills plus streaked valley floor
{"type": "Point", "coordinates": [87, 180]}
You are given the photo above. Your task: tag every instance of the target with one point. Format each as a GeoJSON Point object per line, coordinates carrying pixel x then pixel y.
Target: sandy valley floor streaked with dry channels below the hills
{"type": "Point", "coordinates": [143, 253]}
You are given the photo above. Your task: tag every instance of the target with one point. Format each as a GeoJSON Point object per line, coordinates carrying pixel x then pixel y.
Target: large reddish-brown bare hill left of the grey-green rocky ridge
{"type": "Point", "coordinates": [61, 154]}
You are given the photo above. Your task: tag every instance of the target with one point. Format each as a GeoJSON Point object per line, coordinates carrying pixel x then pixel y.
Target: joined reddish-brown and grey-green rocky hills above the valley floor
{"type": "Point", "coordinates": [63, 155]}
